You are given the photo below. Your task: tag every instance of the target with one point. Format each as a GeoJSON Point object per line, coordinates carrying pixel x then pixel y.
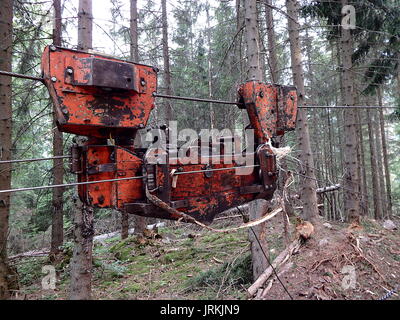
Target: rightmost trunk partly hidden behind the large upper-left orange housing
{"type": "Point", "coordinates": [139, 222]}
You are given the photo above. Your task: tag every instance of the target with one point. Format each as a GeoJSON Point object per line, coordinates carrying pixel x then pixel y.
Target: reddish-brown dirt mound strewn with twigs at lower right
{"type": "Point", "coordinates": [343, 261]}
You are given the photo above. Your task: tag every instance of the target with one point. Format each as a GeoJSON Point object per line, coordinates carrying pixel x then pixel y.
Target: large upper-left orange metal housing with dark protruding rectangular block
{"type": "Point", "coordinates": [92, 94]}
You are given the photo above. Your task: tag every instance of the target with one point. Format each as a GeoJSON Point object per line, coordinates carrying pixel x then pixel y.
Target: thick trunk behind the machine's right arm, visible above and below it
{"type": "Point", "coordinates": [257, 235]}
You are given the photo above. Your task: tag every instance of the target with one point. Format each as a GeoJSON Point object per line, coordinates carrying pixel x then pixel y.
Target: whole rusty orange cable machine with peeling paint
{"type": "Point", "coordinates": [106, 99]}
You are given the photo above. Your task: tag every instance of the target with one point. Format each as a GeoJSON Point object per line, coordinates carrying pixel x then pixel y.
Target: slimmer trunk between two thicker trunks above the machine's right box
{"type": "Point", "coordinates": [272, 58]}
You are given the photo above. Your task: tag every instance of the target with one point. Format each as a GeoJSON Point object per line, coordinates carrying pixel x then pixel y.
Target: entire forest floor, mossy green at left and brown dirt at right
{"type": "Point", "coordinates": [179, 261]}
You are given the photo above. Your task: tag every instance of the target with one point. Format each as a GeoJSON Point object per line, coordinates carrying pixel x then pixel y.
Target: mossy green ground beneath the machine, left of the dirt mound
{"type": "Point", "coordinates": [180, 264]}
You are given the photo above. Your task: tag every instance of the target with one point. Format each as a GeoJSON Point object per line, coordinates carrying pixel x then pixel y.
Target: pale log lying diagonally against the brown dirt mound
{"type": "Point", "coordinates": [278, 262]}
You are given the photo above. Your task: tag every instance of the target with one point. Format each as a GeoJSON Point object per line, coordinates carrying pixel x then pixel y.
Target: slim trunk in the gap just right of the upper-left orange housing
{"type": "Point", "coordinates": [167, 73]}
